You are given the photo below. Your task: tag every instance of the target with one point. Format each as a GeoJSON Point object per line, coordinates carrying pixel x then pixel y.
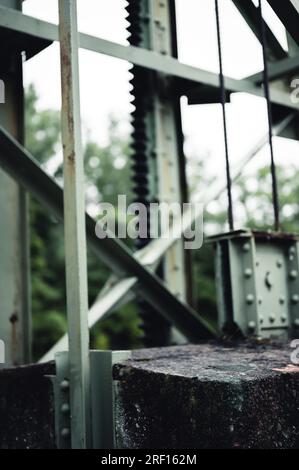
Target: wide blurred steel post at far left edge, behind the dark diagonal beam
{"type": "Point", "coordinates": [15, 317]}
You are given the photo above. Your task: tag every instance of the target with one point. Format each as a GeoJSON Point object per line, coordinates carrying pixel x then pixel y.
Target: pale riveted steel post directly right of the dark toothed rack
{"type": "Point", "coordinates": [167, 146]}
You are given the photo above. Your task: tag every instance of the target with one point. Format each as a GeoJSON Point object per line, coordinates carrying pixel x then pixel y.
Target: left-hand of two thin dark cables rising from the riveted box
{"type": "Point", "coordinates": [223, 103]}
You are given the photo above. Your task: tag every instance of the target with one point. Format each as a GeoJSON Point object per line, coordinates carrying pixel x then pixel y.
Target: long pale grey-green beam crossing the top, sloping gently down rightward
{"type": "Point", "coordinates": [144, 58]}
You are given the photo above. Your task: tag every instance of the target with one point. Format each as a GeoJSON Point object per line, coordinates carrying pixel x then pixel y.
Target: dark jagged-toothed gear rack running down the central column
{"type": "Point", "coordinates": [156, 331]}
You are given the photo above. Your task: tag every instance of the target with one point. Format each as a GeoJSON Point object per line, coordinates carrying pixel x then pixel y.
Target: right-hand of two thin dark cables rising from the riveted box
{"type": "Point", "coordinates": [270, 120]}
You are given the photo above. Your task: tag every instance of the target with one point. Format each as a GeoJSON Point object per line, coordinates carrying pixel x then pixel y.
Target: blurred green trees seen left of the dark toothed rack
{"type": "Point", "coordinates": [107, 174]}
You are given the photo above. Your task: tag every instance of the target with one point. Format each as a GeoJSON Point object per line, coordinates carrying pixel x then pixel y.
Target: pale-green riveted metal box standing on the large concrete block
{"type": "Point", "coordinates": [258, 283]}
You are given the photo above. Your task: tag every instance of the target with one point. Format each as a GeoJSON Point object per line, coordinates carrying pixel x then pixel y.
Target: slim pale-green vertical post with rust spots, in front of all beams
{"type": "Point", "coordinates": [74, 222]}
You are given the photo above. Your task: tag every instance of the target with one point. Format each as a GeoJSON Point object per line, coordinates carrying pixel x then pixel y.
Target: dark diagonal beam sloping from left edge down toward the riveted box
{"type": "Point", "coordinates": [20, 165]}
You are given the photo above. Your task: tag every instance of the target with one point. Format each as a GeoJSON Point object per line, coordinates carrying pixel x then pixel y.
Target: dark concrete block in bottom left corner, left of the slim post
{"type": "Point", "coordinates": [27, 408]}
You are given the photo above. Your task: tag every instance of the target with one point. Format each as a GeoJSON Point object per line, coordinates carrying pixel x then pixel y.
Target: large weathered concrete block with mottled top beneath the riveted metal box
{"type": "Point", "coordinates": [208, 396]}
